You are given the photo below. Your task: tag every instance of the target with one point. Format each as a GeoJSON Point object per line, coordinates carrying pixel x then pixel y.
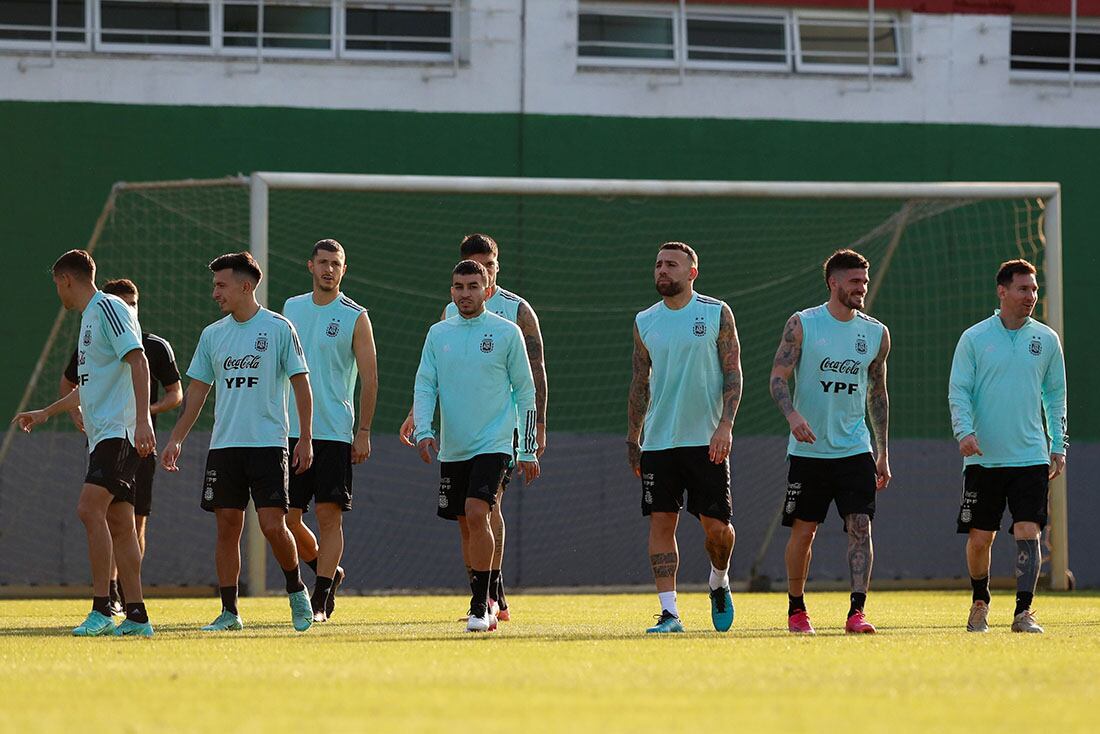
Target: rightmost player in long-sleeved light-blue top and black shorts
{"type": "Point", "coordinates": [1007, 374]}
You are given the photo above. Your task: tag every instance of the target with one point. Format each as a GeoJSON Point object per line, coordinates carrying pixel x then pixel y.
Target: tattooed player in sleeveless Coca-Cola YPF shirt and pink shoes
{"type": "Point", "coordinates": [839, 355]}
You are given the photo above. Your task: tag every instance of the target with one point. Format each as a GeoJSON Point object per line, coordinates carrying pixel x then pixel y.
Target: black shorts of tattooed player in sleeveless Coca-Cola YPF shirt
{"type": "Point", "coordinates": [813, 485]}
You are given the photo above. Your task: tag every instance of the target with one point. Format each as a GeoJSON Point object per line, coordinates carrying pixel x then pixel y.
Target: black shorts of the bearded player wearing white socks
{"type": "Point", "coordinates": [668, 474]}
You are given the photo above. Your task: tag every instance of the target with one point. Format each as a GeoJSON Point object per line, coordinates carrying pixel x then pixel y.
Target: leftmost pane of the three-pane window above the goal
{"type": "Point", "coordinates": [626, 38]}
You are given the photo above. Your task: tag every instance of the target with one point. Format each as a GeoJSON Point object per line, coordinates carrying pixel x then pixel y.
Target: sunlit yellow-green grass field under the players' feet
{"type": "Point", "coordinates": [565, 663]}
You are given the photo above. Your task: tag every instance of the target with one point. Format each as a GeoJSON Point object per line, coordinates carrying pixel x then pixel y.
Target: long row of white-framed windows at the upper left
{"type": "Point", "coordinates": [401, 30]}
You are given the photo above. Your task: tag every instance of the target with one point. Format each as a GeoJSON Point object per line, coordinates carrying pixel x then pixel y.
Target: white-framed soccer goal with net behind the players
{"type": "Point", "coordinates": [581, 253]}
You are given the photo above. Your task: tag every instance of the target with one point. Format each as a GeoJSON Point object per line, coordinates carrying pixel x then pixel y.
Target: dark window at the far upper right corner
{"type": "Point", "coordinates": [1041, 48]}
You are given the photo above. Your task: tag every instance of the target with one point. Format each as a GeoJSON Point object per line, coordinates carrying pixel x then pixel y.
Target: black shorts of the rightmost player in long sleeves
{"type": "Point", "coordinates": [986, 490]}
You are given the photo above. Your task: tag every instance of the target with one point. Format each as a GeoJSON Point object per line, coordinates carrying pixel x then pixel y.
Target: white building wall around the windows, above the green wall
{"type": "Point", "coordinates": [959, 74]}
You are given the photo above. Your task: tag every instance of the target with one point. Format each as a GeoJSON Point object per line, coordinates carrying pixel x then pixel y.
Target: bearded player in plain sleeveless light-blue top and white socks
{"type": "Point", "coordinates": [686, 389]}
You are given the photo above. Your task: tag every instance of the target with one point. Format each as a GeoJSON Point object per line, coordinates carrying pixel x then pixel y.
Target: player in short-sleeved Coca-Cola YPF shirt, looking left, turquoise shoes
{"type": "Point", "coordinates": [250, 355]}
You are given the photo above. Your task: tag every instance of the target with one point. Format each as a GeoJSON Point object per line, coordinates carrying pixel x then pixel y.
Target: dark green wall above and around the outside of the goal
{"type": "Point", "coordinates": [59, 161]}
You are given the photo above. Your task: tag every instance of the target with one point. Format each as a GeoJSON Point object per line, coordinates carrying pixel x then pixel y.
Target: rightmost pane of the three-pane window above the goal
{"type": "Point", "coordinates": [840, 43]}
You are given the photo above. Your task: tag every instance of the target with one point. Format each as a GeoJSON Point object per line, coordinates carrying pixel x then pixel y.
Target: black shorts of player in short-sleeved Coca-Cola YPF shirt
{"type": "Point", "coordinates": [233, 475]}
